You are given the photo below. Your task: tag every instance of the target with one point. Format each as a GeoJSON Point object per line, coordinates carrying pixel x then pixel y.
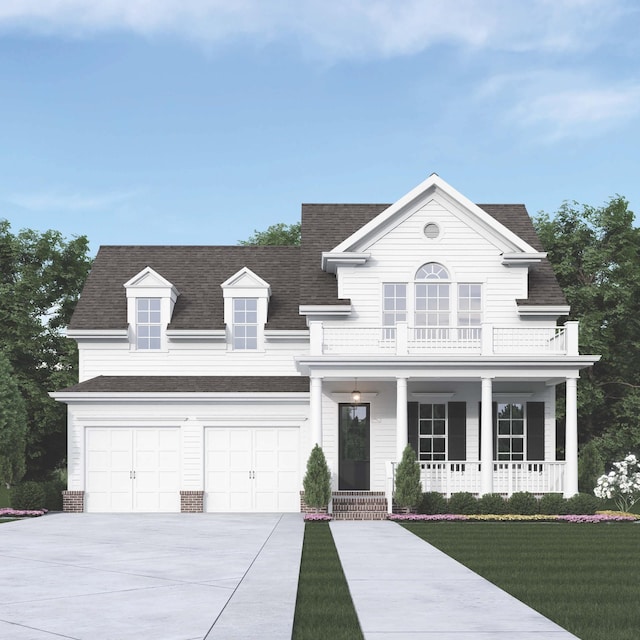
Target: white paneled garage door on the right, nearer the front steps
{"type": "Point", "coordinates": [252, 469]}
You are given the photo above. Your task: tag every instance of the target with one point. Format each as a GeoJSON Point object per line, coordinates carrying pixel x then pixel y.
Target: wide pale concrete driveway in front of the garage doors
{"type": "Point", "coordinates": [149, 576]}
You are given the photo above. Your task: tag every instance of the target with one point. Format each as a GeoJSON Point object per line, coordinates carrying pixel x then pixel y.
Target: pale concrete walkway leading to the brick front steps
{"type": "Point", "coordinates": [405, 589]}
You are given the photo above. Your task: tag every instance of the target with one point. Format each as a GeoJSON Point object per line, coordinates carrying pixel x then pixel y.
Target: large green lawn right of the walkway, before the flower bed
{"type": "Point", "coordinates": [585, 577]}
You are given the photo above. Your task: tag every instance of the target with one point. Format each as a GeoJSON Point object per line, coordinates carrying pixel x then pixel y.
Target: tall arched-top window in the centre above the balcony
{"type": "Point", "coordinates": [432, 311]}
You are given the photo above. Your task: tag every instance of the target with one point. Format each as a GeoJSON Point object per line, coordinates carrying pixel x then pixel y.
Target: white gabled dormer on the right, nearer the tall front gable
{"type": "Point", "coordinates": [246, 302]}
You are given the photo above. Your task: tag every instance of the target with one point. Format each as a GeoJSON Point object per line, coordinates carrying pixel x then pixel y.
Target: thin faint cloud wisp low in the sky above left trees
{"type": "Point", "coordinates": [70, 202]}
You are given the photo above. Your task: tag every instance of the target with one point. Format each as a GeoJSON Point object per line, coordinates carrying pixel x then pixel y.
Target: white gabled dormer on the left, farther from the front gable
{"type": "Point", "coordinates": [150, 302]}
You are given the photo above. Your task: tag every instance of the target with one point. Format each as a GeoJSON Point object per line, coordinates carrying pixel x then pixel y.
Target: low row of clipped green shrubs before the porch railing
{"type": "Point", "coordinates": [521, 503]}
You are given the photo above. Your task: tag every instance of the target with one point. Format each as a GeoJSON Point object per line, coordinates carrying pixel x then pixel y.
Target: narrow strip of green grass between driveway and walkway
{"type": "Point", "coordinates": [323, 607]}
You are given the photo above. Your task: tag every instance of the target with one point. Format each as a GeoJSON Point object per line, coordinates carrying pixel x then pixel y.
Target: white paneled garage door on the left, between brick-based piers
{"type": "Point", "coordinates": [133, 470]}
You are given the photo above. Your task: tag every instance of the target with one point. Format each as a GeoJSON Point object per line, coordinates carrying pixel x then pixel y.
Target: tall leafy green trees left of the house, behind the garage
{"type": "Point", "coordinates": [41, 275]}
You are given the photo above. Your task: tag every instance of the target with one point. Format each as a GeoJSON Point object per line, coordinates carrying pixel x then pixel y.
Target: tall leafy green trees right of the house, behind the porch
{"type": "Point", "coordinates": [595, 253]}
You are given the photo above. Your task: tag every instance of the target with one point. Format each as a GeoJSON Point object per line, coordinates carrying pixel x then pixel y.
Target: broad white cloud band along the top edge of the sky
{"type": "Point", "coordinates": [332, 29]}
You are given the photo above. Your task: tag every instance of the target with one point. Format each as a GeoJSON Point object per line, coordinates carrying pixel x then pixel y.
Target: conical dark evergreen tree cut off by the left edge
{"type": "Point", "coordinates": [13, 426]}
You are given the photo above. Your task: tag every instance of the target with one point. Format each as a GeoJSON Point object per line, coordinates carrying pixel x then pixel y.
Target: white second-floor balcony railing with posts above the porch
{"type": "Point", "coordinates": [484, 340]}
